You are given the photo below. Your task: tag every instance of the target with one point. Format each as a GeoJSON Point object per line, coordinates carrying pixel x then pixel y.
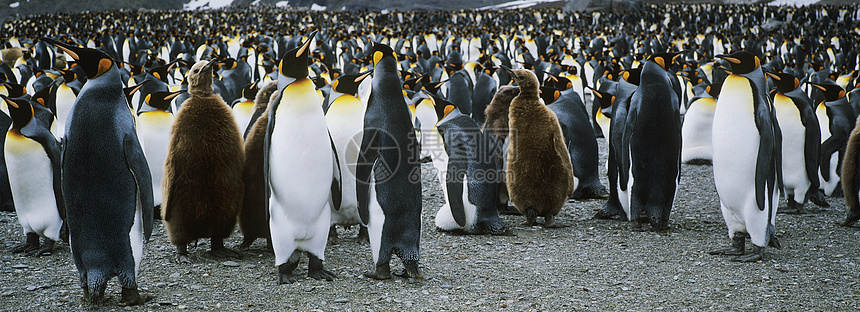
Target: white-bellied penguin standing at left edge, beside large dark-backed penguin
{"type": "Point", "coordinates": [33, 162]}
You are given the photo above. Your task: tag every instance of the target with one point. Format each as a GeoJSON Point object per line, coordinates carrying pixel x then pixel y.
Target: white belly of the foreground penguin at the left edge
{"type": "Point", "coordinates": [31, 180]}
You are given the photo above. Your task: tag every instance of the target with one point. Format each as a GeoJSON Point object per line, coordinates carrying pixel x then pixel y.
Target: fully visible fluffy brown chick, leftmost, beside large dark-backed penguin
{"type": "Point", "coordinates": [202, 185]}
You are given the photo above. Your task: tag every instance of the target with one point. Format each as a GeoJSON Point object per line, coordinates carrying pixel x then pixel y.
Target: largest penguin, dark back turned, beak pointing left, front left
{"type": "Point", "coordinates": [108, 194]}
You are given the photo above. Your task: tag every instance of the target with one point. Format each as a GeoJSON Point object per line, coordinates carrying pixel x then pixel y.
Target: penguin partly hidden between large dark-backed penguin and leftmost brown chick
{"type": "Point", "coordinates": [154, 124]}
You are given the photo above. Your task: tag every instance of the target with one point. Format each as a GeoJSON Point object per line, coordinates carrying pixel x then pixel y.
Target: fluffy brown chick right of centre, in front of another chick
{"type": "Point", "coordinates": [539, 172]}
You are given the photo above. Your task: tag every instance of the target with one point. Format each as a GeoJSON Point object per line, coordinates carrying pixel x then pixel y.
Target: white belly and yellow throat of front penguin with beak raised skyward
{"type": "Point", "coordinates": [300, 178]}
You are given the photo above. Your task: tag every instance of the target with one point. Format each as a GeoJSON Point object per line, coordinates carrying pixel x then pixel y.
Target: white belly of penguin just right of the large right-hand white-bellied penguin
{"type": "Point", "coordinates": [794, 176]}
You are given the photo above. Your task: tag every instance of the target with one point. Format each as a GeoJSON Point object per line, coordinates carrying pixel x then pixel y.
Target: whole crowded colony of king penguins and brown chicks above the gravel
{"type": "Point", "coordinates": [294, 130]}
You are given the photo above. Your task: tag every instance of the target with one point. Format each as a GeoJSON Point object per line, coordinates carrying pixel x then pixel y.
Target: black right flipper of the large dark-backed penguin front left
{"type": "Point", "coordinates": [136, 162]}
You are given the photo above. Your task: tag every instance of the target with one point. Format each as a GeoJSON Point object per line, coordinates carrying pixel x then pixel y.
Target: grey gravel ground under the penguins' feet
{"type": "Point", "coordinates": [595, 265]}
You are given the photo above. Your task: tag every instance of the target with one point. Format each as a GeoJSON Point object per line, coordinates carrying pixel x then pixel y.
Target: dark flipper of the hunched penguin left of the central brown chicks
{"type": "Point", "coordinates": [458, 161]}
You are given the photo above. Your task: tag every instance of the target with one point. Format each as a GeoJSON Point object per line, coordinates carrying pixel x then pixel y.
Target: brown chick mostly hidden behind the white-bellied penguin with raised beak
{"type": "Point", "coordinates": [252, 217]}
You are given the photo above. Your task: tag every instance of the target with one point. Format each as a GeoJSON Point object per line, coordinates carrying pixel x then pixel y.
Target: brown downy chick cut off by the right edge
{"type": "Point", "coordinates": [850, 180]}
